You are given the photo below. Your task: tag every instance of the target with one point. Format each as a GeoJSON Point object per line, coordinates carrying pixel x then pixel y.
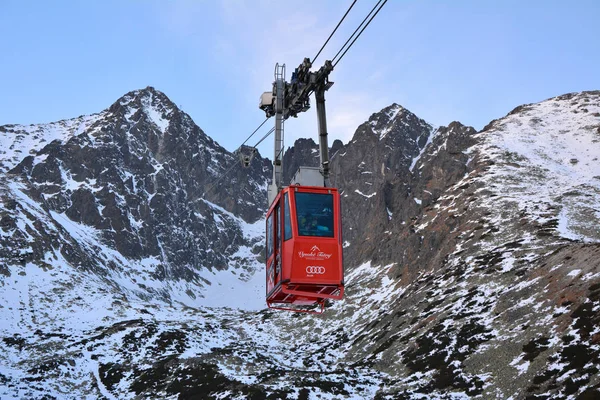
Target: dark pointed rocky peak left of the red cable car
{"type": "Point", "coordinates": [141, 173]}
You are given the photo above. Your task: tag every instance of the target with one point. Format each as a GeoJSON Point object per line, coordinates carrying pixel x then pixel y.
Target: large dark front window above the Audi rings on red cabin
{"type": "Point", "coordinates": [314, 214]}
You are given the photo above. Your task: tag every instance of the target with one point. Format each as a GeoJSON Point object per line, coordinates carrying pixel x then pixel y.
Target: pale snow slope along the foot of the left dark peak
{"type": "Point", "coordinates": [31, 223]}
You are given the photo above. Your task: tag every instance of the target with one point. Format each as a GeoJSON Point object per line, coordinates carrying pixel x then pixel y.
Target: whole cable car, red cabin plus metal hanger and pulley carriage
{"type": "Point", "coordinates": [303, 229]}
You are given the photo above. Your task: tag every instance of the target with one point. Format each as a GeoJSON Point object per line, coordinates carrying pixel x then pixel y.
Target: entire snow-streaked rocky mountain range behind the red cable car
{"type": "Point", "coordinates": [472, 259]}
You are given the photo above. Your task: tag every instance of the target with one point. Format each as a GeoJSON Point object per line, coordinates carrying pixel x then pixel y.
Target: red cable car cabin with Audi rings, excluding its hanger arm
{"type": "Point", "coordinates": [304, 248]}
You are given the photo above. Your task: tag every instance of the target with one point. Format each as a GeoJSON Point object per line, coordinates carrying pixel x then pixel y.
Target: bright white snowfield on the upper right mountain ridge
{"type": "Point", "coordinates": [548, 163]}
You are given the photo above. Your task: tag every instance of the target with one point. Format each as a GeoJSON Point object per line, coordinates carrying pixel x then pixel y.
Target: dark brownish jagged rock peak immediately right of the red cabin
{"type": "Point", "coordinates": [395, 167]}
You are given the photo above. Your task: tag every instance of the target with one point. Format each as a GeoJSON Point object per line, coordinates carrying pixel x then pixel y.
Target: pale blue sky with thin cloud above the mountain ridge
{"type": "Point", "coordinates": [470, 61]}
